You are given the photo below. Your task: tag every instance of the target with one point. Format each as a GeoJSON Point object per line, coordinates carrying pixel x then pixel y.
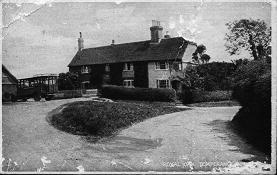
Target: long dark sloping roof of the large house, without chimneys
{"type": "Point", "coordinates": [167, 49]}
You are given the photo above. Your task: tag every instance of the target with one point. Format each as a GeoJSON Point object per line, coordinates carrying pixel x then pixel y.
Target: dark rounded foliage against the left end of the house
{"type": "Point", "coordinates": [69, 81]}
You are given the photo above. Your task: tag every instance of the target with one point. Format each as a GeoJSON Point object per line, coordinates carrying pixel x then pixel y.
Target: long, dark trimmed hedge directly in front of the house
{"type": "Point", "coordinates": [141, 94]}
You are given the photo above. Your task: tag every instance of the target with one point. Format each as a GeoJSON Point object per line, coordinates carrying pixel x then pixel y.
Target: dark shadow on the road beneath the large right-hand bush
{"type": "Point", "coordinates": [236, 138]}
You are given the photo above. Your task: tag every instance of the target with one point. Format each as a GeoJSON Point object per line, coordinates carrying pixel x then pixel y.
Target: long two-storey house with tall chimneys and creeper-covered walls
{"type": "Point", "coordinates": [155, 63]}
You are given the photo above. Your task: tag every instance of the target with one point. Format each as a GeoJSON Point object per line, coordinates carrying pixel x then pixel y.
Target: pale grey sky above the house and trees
{"type": "Point", "coordinates": [42, 37]}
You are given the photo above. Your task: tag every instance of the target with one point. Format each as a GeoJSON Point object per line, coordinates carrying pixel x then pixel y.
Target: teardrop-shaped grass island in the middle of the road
{"type": "Point", "coordinates": [105, 118]}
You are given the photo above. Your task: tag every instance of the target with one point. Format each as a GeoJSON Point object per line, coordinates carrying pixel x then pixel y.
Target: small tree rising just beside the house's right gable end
{"type": "Point", "coordinates": [199, 55]}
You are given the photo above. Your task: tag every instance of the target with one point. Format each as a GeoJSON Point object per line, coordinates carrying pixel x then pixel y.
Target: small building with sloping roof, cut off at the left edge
{"type": "Point", "coordinates": [9, 85]}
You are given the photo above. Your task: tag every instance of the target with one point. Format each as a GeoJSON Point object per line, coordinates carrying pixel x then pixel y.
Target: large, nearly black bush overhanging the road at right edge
{"type": "Point", "coordinates": [252, 89]}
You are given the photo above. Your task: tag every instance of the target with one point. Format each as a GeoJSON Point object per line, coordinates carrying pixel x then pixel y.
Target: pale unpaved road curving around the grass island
{"type": "Point", "coordinates": [192, 140]}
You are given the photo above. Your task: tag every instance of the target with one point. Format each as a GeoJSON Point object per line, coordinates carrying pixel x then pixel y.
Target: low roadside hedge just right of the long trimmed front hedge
{"type": "Point", "coordinates": [197, 96]}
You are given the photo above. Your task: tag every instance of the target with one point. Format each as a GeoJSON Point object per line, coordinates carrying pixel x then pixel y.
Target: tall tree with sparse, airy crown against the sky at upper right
{"type": "Point", "coordinates": [251, 35]}
